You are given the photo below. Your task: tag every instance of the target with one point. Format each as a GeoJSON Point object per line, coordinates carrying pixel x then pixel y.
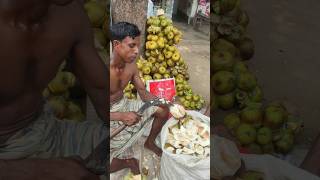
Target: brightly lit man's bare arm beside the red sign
{"type": "Point", "coordinates": [139, 85]}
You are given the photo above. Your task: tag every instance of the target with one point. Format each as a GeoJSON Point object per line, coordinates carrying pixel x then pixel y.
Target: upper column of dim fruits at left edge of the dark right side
{"type": "Point", "coordinates": [233, 83]}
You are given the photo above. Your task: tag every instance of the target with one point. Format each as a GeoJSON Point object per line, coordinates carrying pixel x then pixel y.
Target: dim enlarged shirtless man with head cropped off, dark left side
{"type": "Point", "coordinates": [35, 37]}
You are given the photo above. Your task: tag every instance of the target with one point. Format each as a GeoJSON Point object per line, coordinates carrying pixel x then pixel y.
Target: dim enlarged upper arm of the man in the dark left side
{"type": "Point", "coordinates": [89, 68]}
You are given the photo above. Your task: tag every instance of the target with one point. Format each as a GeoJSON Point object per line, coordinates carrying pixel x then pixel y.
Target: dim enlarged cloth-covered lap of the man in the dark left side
{"type": "Point", "coordinates": [49, 137]}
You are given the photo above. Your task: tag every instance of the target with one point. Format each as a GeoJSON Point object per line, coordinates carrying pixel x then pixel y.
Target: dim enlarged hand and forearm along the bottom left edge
{"type": "Point", "coordinates": [50, 169]}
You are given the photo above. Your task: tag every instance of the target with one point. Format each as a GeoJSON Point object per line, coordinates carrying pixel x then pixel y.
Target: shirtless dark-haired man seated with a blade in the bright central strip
{"type": "Point", "coordinates": [126, 42]}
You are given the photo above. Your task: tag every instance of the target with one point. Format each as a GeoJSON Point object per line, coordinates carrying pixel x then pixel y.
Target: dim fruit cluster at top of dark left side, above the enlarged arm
{"type": "Point", "coordinates": [97, 11]}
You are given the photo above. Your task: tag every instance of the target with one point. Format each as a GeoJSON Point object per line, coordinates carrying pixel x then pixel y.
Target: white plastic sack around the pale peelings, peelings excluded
{"type": "Point", "coordinates": [183, 167]}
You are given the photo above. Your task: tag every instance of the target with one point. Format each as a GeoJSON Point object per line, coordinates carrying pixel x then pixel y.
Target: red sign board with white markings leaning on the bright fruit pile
{"type": "Point", "coordinates": [163, 88]}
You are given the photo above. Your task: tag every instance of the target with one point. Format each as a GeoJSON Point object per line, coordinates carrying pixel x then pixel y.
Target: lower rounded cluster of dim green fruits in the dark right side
{"type": "Point", "coordinates": [270, 129]}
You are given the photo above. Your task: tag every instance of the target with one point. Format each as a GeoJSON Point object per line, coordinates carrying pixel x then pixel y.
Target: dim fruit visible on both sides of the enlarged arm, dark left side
{"type": "Point", "coordinates": [64, 93]}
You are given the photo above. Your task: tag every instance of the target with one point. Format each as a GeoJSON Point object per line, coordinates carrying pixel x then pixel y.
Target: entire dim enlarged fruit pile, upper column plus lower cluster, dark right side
{"type": "Point", "coordinates": [257, 127]}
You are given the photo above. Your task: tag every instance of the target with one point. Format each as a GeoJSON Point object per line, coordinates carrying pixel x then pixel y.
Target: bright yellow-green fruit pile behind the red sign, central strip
{"type": "Point", "coordinates": [163, 60]}
